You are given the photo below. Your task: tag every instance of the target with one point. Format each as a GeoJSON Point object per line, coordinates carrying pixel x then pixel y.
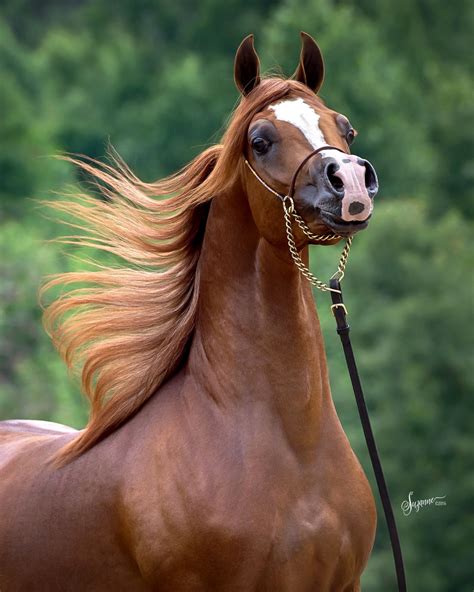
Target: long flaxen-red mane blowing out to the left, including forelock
{"type": "Point", "coordinates": [128, 329]}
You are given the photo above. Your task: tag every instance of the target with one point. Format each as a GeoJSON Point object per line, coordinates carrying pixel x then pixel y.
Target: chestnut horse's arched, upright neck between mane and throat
{"type": "Point", "coordinates": [257, 339]}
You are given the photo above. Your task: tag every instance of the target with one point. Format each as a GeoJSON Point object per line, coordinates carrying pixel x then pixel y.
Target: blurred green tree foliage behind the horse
{"type": "Point", "coordinates": [155, 79]}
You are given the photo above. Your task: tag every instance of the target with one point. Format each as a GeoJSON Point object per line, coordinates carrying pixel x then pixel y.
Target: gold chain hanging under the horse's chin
{"type": "Point", "coordinates": [289, 209]}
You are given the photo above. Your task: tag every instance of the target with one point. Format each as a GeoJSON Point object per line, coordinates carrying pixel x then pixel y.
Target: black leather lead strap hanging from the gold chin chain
{"type": "Point", "coordinates": [340, 312]}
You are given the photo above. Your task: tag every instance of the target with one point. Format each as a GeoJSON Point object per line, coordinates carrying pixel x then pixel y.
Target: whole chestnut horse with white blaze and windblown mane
{"type": "Point", "coordinates": [213, 458]}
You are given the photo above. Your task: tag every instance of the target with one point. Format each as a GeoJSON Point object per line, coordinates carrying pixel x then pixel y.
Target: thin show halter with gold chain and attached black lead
{"type": "Point", "coordinates": [339, 311]}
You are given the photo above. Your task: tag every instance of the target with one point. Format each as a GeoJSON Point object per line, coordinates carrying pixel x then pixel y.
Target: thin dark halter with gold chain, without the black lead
{"type": "Point", "coordinates": [290, 212]}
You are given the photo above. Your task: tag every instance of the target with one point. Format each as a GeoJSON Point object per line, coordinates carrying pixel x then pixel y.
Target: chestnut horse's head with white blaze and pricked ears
{"type": "Point", "coordinates": [296, 144]}
